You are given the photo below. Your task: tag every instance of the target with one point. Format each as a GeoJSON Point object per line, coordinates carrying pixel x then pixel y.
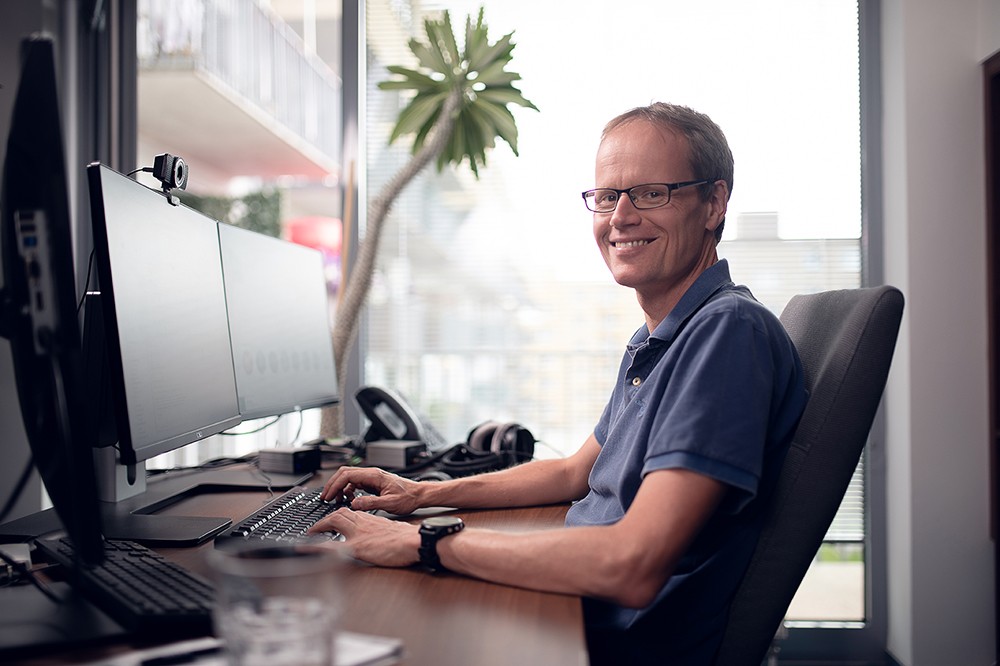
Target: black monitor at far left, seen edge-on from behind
{"type": "Point", "coordinates": [38, 300]}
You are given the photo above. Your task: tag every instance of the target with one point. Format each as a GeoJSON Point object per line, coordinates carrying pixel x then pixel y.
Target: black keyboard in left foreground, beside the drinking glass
{"type": "Point", "coordinates": [142, 590]}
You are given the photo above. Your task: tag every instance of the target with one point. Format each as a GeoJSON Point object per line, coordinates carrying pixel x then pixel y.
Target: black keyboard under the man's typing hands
{"type": "Point", "coordinates": [285, 518]}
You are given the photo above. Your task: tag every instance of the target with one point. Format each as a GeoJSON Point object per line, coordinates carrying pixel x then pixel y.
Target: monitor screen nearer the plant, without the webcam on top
{"type": "Point", "coordinates": [279, 323]}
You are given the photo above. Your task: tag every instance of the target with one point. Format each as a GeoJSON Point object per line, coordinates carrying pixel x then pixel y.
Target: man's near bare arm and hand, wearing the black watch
{"type": "Point", "coordinates": [627, 562]}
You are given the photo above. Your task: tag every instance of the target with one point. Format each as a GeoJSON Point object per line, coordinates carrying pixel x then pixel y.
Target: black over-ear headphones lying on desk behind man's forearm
{"type": "Point", "coordinates": [490, 446]}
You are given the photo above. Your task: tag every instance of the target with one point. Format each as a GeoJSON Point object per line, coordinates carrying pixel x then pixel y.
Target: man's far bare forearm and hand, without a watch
{"type": "Point", "coordinates": [529, 484]}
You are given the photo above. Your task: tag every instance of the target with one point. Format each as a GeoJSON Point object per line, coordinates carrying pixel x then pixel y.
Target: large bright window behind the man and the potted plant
{"type": "Point", "coordinates": [491, 301]}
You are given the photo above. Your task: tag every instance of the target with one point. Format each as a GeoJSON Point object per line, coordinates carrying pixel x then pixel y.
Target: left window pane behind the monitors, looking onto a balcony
{"type": "Point", "coordinates": [251, 99]}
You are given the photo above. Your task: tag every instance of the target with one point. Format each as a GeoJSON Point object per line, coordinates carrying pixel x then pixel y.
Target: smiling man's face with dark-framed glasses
{"type": "Point", "coordinates": [659, 251]}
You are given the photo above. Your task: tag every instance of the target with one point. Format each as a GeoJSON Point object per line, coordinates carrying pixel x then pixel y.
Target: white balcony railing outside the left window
{"type": "Point", "coordinates": [254, 54]}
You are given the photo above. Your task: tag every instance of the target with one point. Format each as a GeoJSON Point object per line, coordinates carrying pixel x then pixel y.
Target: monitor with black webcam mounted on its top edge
{"type": "Point", "coordinates": [164, 303]}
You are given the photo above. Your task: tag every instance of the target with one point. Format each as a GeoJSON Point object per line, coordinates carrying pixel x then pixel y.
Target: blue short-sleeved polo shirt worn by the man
{"type": "Point", "coordinates": [718, 389]}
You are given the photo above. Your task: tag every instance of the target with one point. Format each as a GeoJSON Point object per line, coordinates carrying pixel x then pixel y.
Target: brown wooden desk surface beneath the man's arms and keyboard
{"type": "Point", "coordinates": [442, 619]}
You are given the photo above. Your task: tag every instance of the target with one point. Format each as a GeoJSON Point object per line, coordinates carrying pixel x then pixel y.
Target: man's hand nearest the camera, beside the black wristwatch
{"type": "Point", "coordinates": [379, 541]}
